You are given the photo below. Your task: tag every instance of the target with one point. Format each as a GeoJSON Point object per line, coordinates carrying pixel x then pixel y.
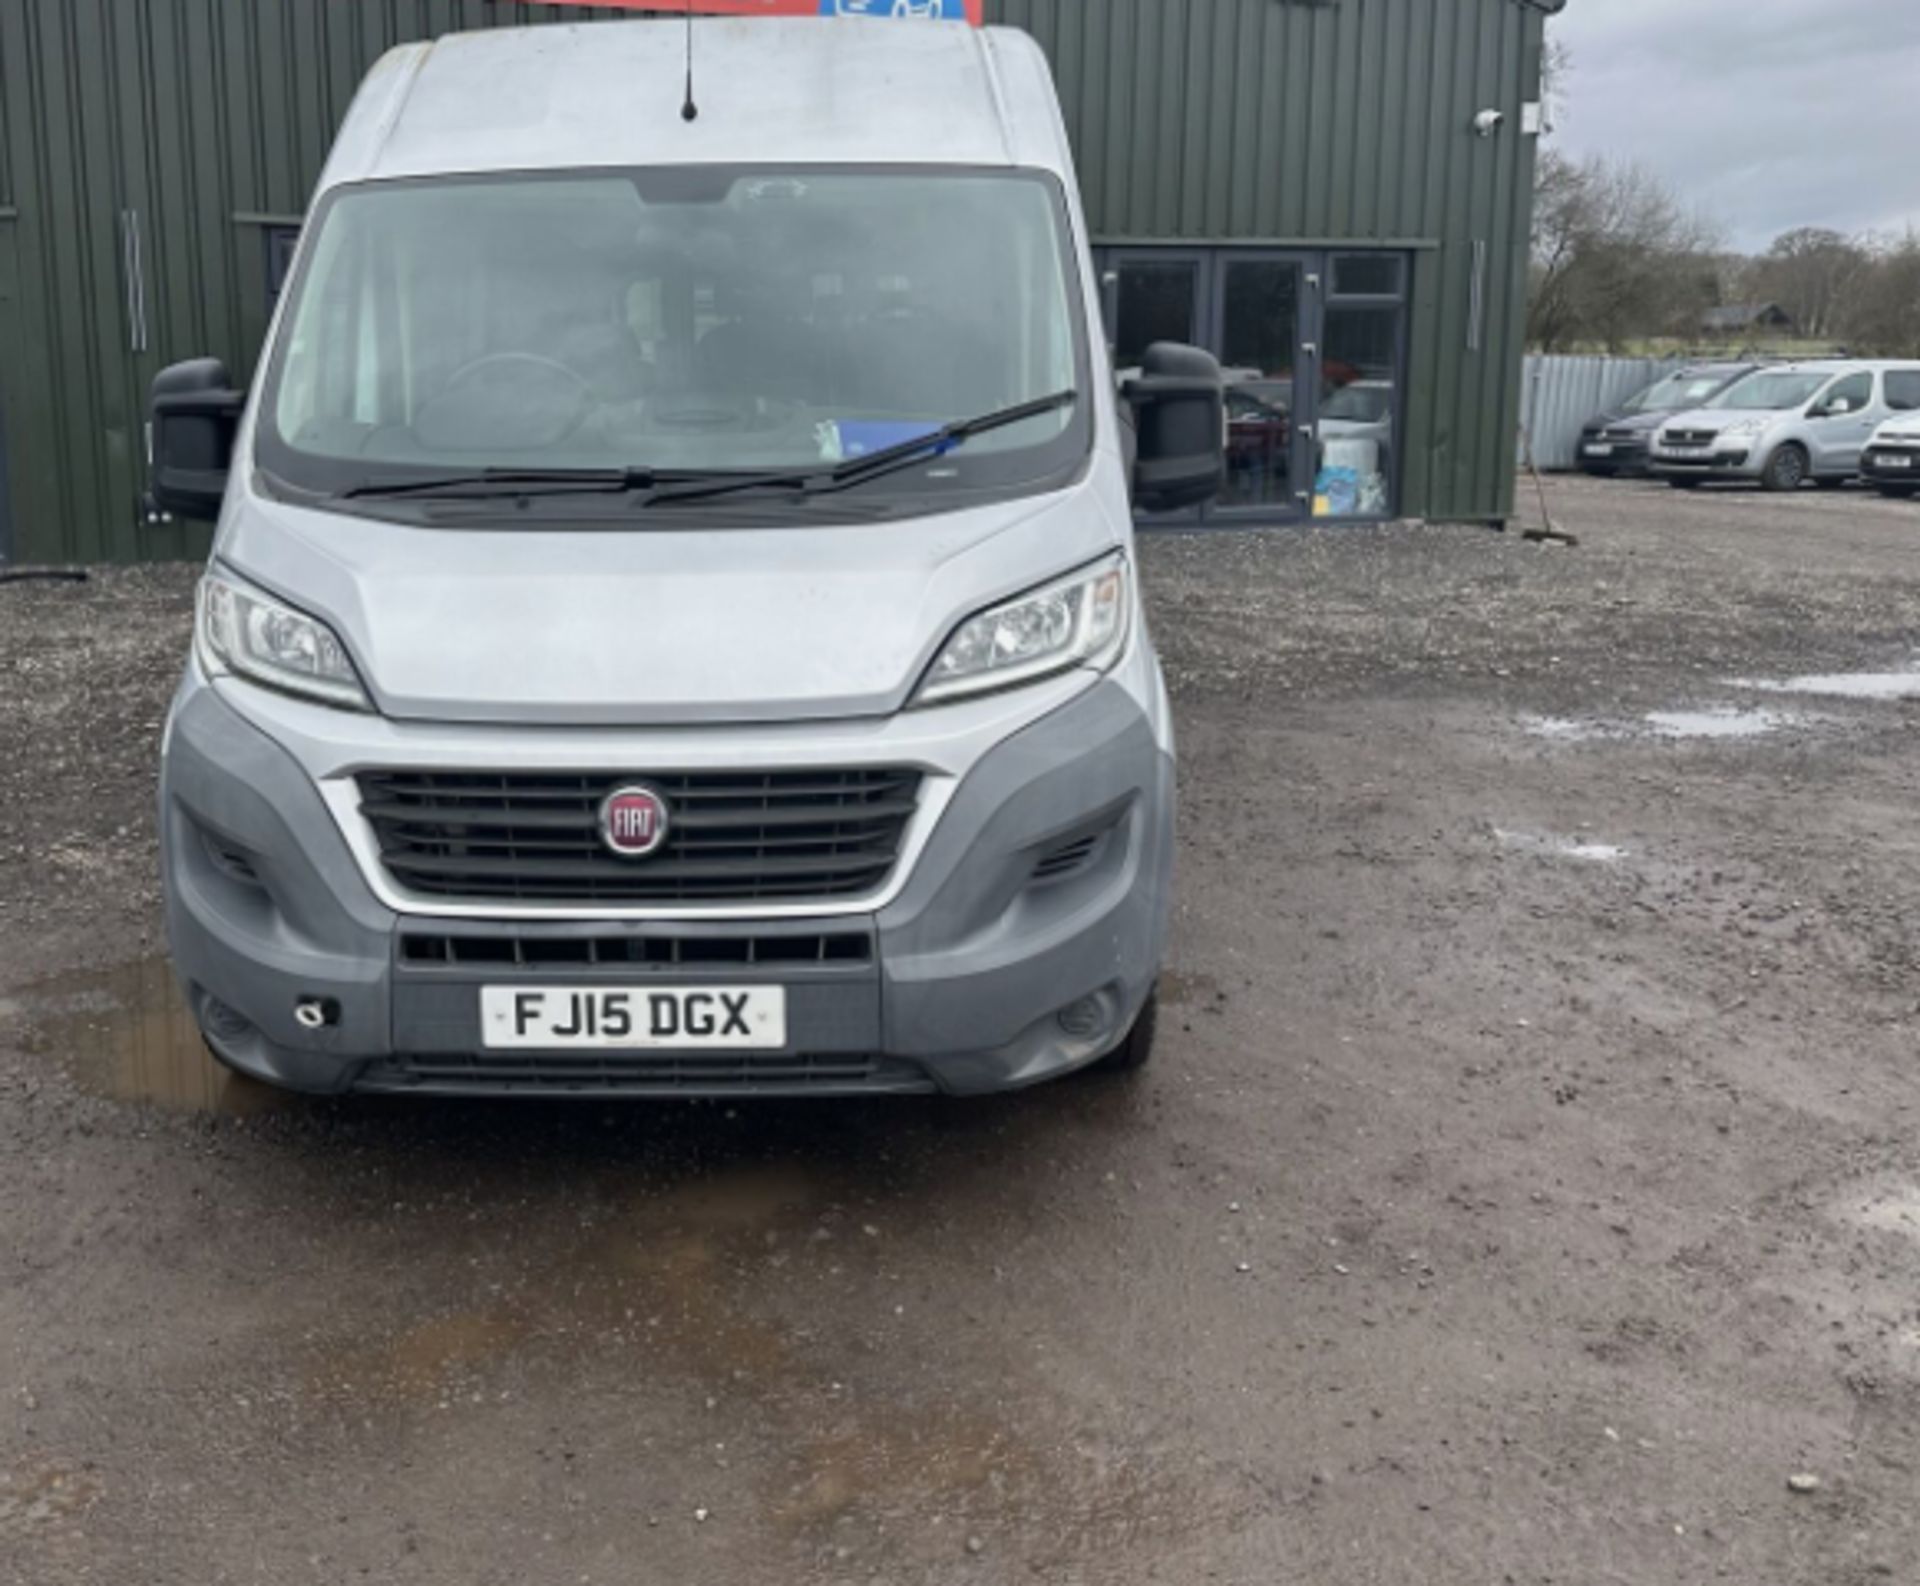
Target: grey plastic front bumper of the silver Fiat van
{"type": "Point", "coordinates": [974, 974]}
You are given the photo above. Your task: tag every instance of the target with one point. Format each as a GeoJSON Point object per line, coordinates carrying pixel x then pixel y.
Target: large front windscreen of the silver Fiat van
{"type": "Point", "coordinates": [704, 320]}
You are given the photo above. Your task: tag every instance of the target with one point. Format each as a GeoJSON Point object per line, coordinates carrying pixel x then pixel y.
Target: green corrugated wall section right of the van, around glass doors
{"type": "Point", "coordinates": [1330, 122]}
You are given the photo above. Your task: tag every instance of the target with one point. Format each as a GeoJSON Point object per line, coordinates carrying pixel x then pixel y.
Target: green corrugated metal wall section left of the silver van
{"type": "Point", "coordinates": [201, 120]}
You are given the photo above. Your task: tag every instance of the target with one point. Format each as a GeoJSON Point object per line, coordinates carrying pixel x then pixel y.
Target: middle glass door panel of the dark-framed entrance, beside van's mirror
{"type": "Point", "coordinates": [1264, 329]}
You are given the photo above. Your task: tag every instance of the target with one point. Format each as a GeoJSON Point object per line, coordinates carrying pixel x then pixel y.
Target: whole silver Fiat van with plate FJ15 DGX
{"type": "Point", "coordinates": [675, 627]}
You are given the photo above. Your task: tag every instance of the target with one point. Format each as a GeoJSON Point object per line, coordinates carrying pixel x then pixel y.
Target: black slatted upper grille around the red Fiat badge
{"type": "Point", "coordinates": [732, 838]}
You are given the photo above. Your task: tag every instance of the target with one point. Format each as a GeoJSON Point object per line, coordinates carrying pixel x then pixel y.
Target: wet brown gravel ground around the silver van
{"type": "Point", "coordinates": [1527, 1188]}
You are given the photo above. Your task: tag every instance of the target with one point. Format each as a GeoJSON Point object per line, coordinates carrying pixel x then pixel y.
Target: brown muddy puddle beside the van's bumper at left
{"type": "Point", "coordinates": [128, 1034]}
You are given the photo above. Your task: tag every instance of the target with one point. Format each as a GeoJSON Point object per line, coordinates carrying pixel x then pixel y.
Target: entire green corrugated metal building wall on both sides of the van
{"type": "Point", "coordinates": [1193, 120]}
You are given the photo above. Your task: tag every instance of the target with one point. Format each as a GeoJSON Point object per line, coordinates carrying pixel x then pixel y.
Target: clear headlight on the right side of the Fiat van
{"type": "Point", "coordinates": [1080, 621]}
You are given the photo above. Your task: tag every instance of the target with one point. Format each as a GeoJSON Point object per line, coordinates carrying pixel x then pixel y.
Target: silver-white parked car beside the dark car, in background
{"type": "Point", "coordinates": [1781, 427]}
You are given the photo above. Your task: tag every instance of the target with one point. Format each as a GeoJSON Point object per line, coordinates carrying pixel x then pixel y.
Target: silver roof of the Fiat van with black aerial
{"type": "Point", "coordinates": [771, 91]}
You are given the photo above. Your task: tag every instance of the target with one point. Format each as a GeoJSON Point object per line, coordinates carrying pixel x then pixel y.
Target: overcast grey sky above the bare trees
{"type": "Point", "coordinates": [1762, 114]}
